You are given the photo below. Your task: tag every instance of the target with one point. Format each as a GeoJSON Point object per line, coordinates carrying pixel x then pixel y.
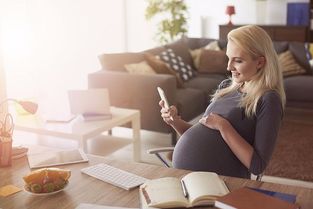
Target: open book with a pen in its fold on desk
{"type": "Point", "coordinates": [194, 189]}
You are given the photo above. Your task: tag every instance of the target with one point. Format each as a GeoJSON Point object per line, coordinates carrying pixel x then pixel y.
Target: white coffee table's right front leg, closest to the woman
{"type": "Point", "coordinates": [136, 138]}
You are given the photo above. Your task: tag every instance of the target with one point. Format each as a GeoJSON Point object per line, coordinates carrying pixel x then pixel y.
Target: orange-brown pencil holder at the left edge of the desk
{"type": "Point", "coordinates": [5, 151]}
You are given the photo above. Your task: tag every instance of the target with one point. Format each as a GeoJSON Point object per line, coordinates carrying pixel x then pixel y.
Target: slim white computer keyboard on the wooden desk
{"type": "Point", "coordinates": [115, 176]}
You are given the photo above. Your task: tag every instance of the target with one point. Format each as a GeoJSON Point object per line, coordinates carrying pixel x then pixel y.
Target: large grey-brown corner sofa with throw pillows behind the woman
{"type": "Point", "coordinates": [206, 60]}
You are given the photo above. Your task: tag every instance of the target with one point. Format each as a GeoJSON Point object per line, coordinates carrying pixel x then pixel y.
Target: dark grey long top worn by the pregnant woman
{"type": "Point", "coordinates": [203, 149]}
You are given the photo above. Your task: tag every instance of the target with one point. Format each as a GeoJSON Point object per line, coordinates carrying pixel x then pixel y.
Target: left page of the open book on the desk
{"type": "Point", "coordinates": [165, 193]}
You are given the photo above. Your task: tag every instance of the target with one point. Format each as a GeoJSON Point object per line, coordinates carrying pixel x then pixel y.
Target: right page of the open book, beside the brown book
{"type": "Point", "coordinates": [204, 187]}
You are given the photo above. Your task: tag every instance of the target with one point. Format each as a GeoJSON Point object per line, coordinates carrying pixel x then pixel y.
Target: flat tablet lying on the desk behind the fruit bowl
{"type": "Point", "coordinates": [47, 159]}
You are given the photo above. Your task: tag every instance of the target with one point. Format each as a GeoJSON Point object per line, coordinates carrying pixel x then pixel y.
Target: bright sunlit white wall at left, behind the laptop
{"type": "Point", "coordinates": [50, 46]}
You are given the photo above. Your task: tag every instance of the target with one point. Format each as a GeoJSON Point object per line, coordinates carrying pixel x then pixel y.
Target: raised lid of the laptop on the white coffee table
{"type": "Point", "coordinates": [90, 101]}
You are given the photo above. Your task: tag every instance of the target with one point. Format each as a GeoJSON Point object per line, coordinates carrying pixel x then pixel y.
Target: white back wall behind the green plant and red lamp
{"type": "Point", "coordinates": [205, 17]}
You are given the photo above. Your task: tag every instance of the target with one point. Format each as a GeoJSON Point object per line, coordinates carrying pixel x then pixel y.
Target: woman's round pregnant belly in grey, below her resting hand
{"type": "Point", "coordinates": [203, 149]}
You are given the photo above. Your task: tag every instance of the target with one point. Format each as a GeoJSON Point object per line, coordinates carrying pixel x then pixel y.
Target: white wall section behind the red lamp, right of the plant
{"type": "Point", "coordinates": [206, 16]}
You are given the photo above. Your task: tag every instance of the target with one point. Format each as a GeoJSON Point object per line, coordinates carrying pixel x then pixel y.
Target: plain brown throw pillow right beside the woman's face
{"type": "Point", "coordinates": [212, 61]}
